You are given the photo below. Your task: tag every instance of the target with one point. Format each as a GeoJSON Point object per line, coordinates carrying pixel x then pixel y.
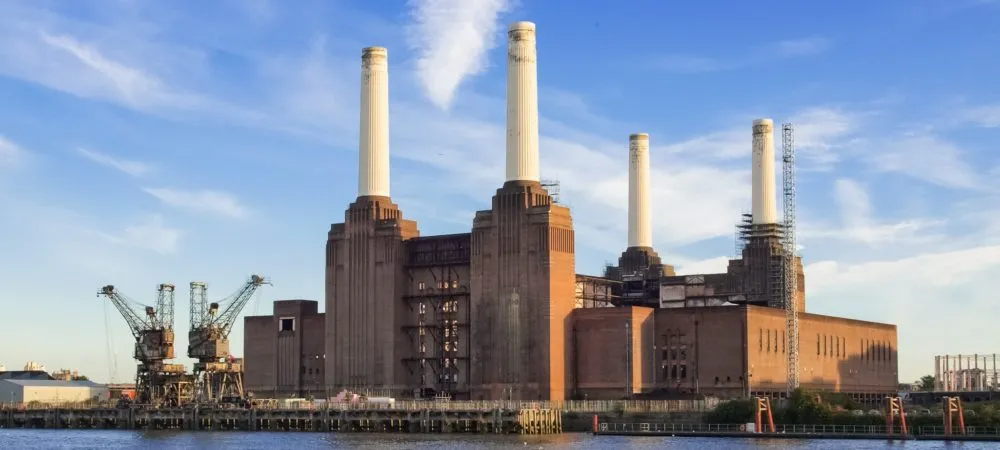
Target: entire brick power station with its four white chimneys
{"type": "Point", "coordinates": [500, 313]}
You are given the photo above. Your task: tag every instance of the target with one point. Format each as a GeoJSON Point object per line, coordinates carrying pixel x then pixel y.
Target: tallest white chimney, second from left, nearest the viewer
{"type": "Point", "coordinates": [522, 103]}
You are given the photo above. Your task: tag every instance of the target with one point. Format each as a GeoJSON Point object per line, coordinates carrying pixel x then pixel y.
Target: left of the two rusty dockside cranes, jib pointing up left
{"type": "Point", "coordinates": [156, 383]}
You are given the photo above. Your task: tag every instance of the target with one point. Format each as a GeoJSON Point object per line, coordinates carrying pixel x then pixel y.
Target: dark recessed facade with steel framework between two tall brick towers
{"type": "Point", "coordinates": [438, 303]}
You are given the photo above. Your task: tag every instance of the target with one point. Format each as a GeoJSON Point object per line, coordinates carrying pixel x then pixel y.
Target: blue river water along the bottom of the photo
{"type": "Point", "coordinates": [110, 440]}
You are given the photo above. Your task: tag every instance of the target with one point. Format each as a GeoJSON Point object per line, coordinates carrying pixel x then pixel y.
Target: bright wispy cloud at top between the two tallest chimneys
{"type": "Point", "coordinates": [452, 38]}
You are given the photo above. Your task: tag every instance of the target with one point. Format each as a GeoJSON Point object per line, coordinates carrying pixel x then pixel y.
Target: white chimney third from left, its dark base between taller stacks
{"type": "Point", "coordinates": [640, 232]}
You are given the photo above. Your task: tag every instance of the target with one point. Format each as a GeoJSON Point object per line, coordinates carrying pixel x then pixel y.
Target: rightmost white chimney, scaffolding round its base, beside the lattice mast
{"type": "Point", "coordinates": [764, 206]}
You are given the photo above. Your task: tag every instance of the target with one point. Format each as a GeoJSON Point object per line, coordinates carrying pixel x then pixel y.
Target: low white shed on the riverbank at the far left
{"type": "Point", "coordinates": [50, 391]}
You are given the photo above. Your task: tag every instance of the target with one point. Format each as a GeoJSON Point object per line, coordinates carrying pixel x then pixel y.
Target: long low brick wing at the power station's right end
{"type": "Point", "coordinates": [725, 351]}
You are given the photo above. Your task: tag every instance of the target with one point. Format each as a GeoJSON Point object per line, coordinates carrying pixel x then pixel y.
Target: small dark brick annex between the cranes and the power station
{"type": "Point", "coordinates": [283, 353]}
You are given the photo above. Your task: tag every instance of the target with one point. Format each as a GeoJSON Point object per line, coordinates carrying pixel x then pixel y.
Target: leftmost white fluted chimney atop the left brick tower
{"type": "Point", "coordinates": [373, 161]}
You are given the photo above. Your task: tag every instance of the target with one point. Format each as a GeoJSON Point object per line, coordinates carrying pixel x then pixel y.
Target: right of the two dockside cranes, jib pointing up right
{"type": "Point", "coordinates": [219, 376]}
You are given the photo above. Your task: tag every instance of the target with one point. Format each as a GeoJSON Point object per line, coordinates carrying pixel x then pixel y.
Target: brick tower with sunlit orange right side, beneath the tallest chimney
{"type": "Point", "coordinates": [523, 286]}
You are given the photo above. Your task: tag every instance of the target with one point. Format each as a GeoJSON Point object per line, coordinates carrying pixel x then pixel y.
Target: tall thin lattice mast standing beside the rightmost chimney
{"type": "Point", "coordinates": [790, 277]}
